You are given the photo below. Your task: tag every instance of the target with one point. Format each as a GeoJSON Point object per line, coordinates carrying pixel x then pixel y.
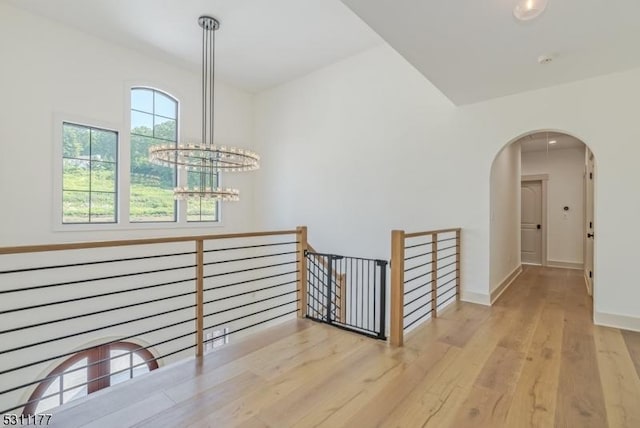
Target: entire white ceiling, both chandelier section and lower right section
{"type": "Point", "coordinates": [472, 50]}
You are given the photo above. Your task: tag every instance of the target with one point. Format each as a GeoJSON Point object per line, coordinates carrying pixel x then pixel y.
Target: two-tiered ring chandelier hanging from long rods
{"type": "Point", "coordinates": [206, 159]}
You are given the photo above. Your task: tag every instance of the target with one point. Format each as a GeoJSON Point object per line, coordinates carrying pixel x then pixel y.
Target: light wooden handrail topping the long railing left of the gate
{"type": "Point", "coordinates": [131, 242]}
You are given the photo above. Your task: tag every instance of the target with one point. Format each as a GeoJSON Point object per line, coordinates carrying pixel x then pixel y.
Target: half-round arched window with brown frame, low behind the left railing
{"type": "Point", "coordinates": [90, 371]}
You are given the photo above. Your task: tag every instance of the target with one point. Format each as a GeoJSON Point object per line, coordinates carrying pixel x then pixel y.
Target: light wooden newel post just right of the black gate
{"type": "Point", "coordinates": [397, 287]}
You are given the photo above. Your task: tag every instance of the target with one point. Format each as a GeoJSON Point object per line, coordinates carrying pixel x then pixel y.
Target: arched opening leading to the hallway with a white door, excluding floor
{"type": "Point", "coordinates": [542, 207]}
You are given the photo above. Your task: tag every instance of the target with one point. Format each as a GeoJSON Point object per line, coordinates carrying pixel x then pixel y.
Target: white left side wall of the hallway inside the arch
{"type": "Point", "coordinates": [505, 215]}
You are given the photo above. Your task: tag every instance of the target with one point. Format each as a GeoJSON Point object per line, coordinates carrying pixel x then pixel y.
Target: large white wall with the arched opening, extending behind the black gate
{"type": "Point", "coordinates": [368, 144]}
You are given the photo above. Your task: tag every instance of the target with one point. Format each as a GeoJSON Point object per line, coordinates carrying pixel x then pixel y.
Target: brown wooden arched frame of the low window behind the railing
{"type": "Point", "coordinates": [98, 359]}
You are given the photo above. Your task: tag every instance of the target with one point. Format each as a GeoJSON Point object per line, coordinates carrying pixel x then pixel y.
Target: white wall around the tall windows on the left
{"type": "Point", "coordinates": [49, 69]}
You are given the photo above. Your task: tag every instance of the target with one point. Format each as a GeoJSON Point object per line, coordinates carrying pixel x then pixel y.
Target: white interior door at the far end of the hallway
{"type": "Point", "coordinates": [531, 222]}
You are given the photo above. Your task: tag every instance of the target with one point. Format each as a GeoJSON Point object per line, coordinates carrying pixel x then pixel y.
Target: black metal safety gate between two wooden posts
{"type": "Point", "coordinates": [347, 292]}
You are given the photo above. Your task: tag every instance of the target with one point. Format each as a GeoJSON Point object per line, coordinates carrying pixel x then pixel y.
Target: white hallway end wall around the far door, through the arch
{"type": "Point", "coordinates": [565, 229]}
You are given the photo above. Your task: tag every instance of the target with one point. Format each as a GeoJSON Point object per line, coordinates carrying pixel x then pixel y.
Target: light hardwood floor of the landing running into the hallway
{"type": "Point", "coordinates": [534, 359]}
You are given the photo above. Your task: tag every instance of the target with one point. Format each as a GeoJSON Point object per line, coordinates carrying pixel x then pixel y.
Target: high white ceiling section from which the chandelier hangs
{"type": "Point", "coordinates": [260, 43]}
